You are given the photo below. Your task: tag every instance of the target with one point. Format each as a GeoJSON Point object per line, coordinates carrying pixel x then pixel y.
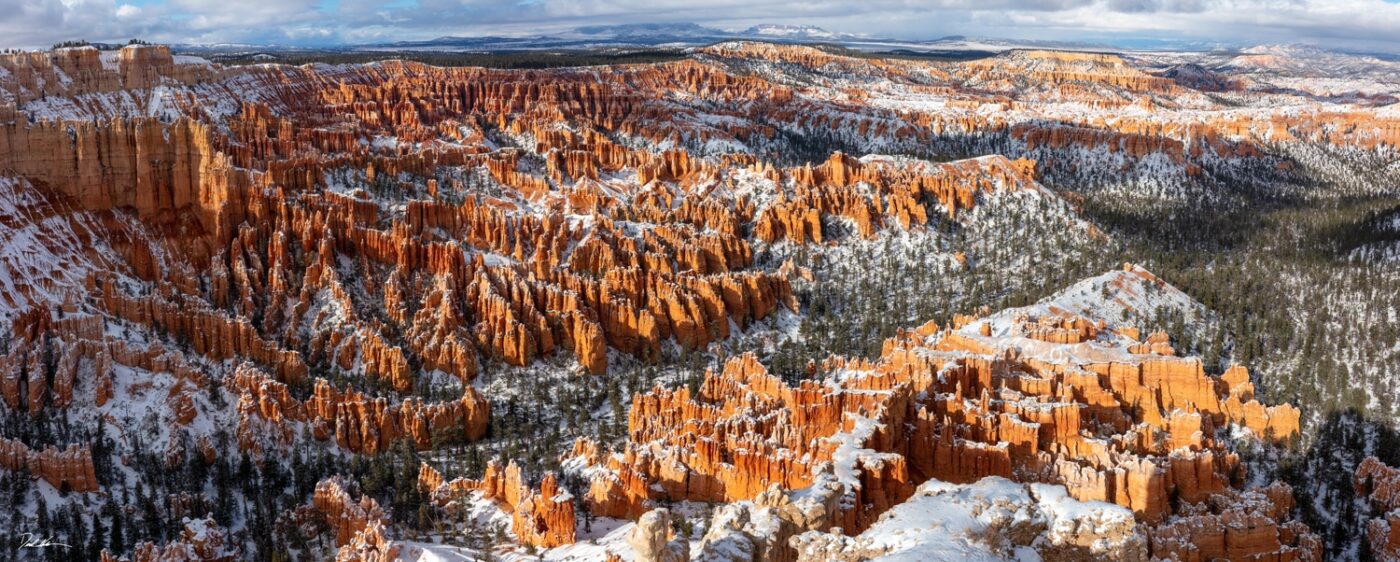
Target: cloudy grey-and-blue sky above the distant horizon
{"type": "Point", "coordinates": [1350, 25]}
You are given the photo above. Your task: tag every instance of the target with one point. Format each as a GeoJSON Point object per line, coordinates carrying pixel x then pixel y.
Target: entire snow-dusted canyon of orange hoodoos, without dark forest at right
{"type": "Point", "coordinates": [373, 273]}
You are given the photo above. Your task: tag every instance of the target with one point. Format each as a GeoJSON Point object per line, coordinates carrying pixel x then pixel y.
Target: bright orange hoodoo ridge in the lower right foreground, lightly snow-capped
{"type": "Point", "coordinates": [1112, 424]}
